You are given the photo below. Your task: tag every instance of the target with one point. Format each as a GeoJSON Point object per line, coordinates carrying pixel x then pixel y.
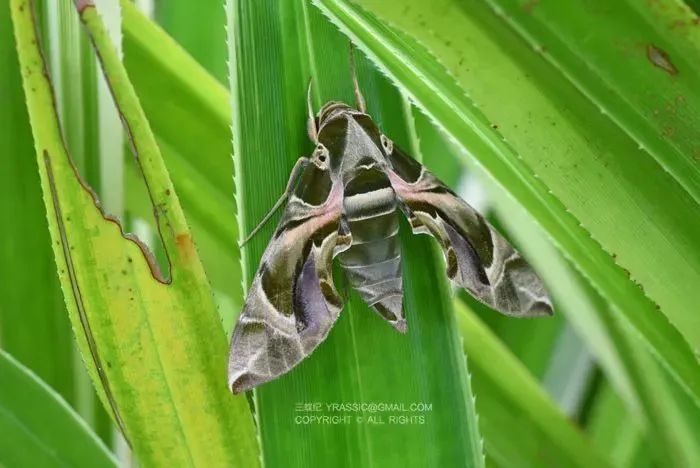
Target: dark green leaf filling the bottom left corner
{"type": "Point", "coordinates": [38, 428]}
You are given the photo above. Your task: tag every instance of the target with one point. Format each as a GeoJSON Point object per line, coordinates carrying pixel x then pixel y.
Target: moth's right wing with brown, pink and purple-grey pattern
{"type": "Point", "coordinates": [478, 258]}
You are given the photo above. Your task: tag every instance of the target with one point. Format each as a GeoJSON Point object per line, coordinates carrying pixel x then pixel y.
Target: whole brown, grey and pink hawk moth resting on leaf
{"type": "Point", "coordinates": [344, 201]}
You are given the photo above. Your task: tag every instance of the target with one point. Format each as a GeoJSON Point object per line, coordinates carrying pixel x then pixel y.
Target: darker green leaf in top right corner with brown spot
{"type": "Point", "coordinates": [648, 82]}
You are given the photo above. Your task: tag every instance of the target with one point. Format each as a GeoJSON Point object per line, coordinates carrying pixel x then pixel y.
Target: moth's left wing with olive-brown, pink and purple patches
{"type": "Point", "coordinates": [292, 302]}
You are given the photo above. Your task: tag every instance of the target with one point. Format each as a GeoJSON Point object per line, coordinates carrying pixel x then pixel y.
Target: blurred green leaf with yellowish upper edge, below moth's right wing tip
{"type": "Point", "coordinates": [519, 420]}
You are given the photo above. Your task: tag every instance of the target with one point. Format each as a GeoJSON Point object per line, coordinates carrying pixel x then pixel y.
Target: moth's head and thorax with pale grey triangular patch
{"type": "Point", "coordinates": [352, 140]}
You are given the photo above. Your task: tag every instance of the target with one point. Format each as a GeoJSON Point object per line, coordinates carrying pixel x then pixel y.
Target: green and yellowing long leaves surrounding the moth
{"type": "Point", "coordinates": [572, 125]}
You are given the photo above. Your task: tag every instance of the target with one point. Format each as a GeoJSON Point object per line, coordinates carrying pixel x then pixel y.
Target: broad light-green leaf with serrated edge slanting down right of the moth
{"type": "Point", "coordinates": [569, 160]}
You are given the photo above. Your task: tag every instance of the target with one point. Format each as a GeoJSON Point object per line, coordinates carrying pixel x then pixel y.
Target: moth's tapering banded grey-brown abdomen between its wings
{"type": "Point", "coordinates": [373, 262]}
